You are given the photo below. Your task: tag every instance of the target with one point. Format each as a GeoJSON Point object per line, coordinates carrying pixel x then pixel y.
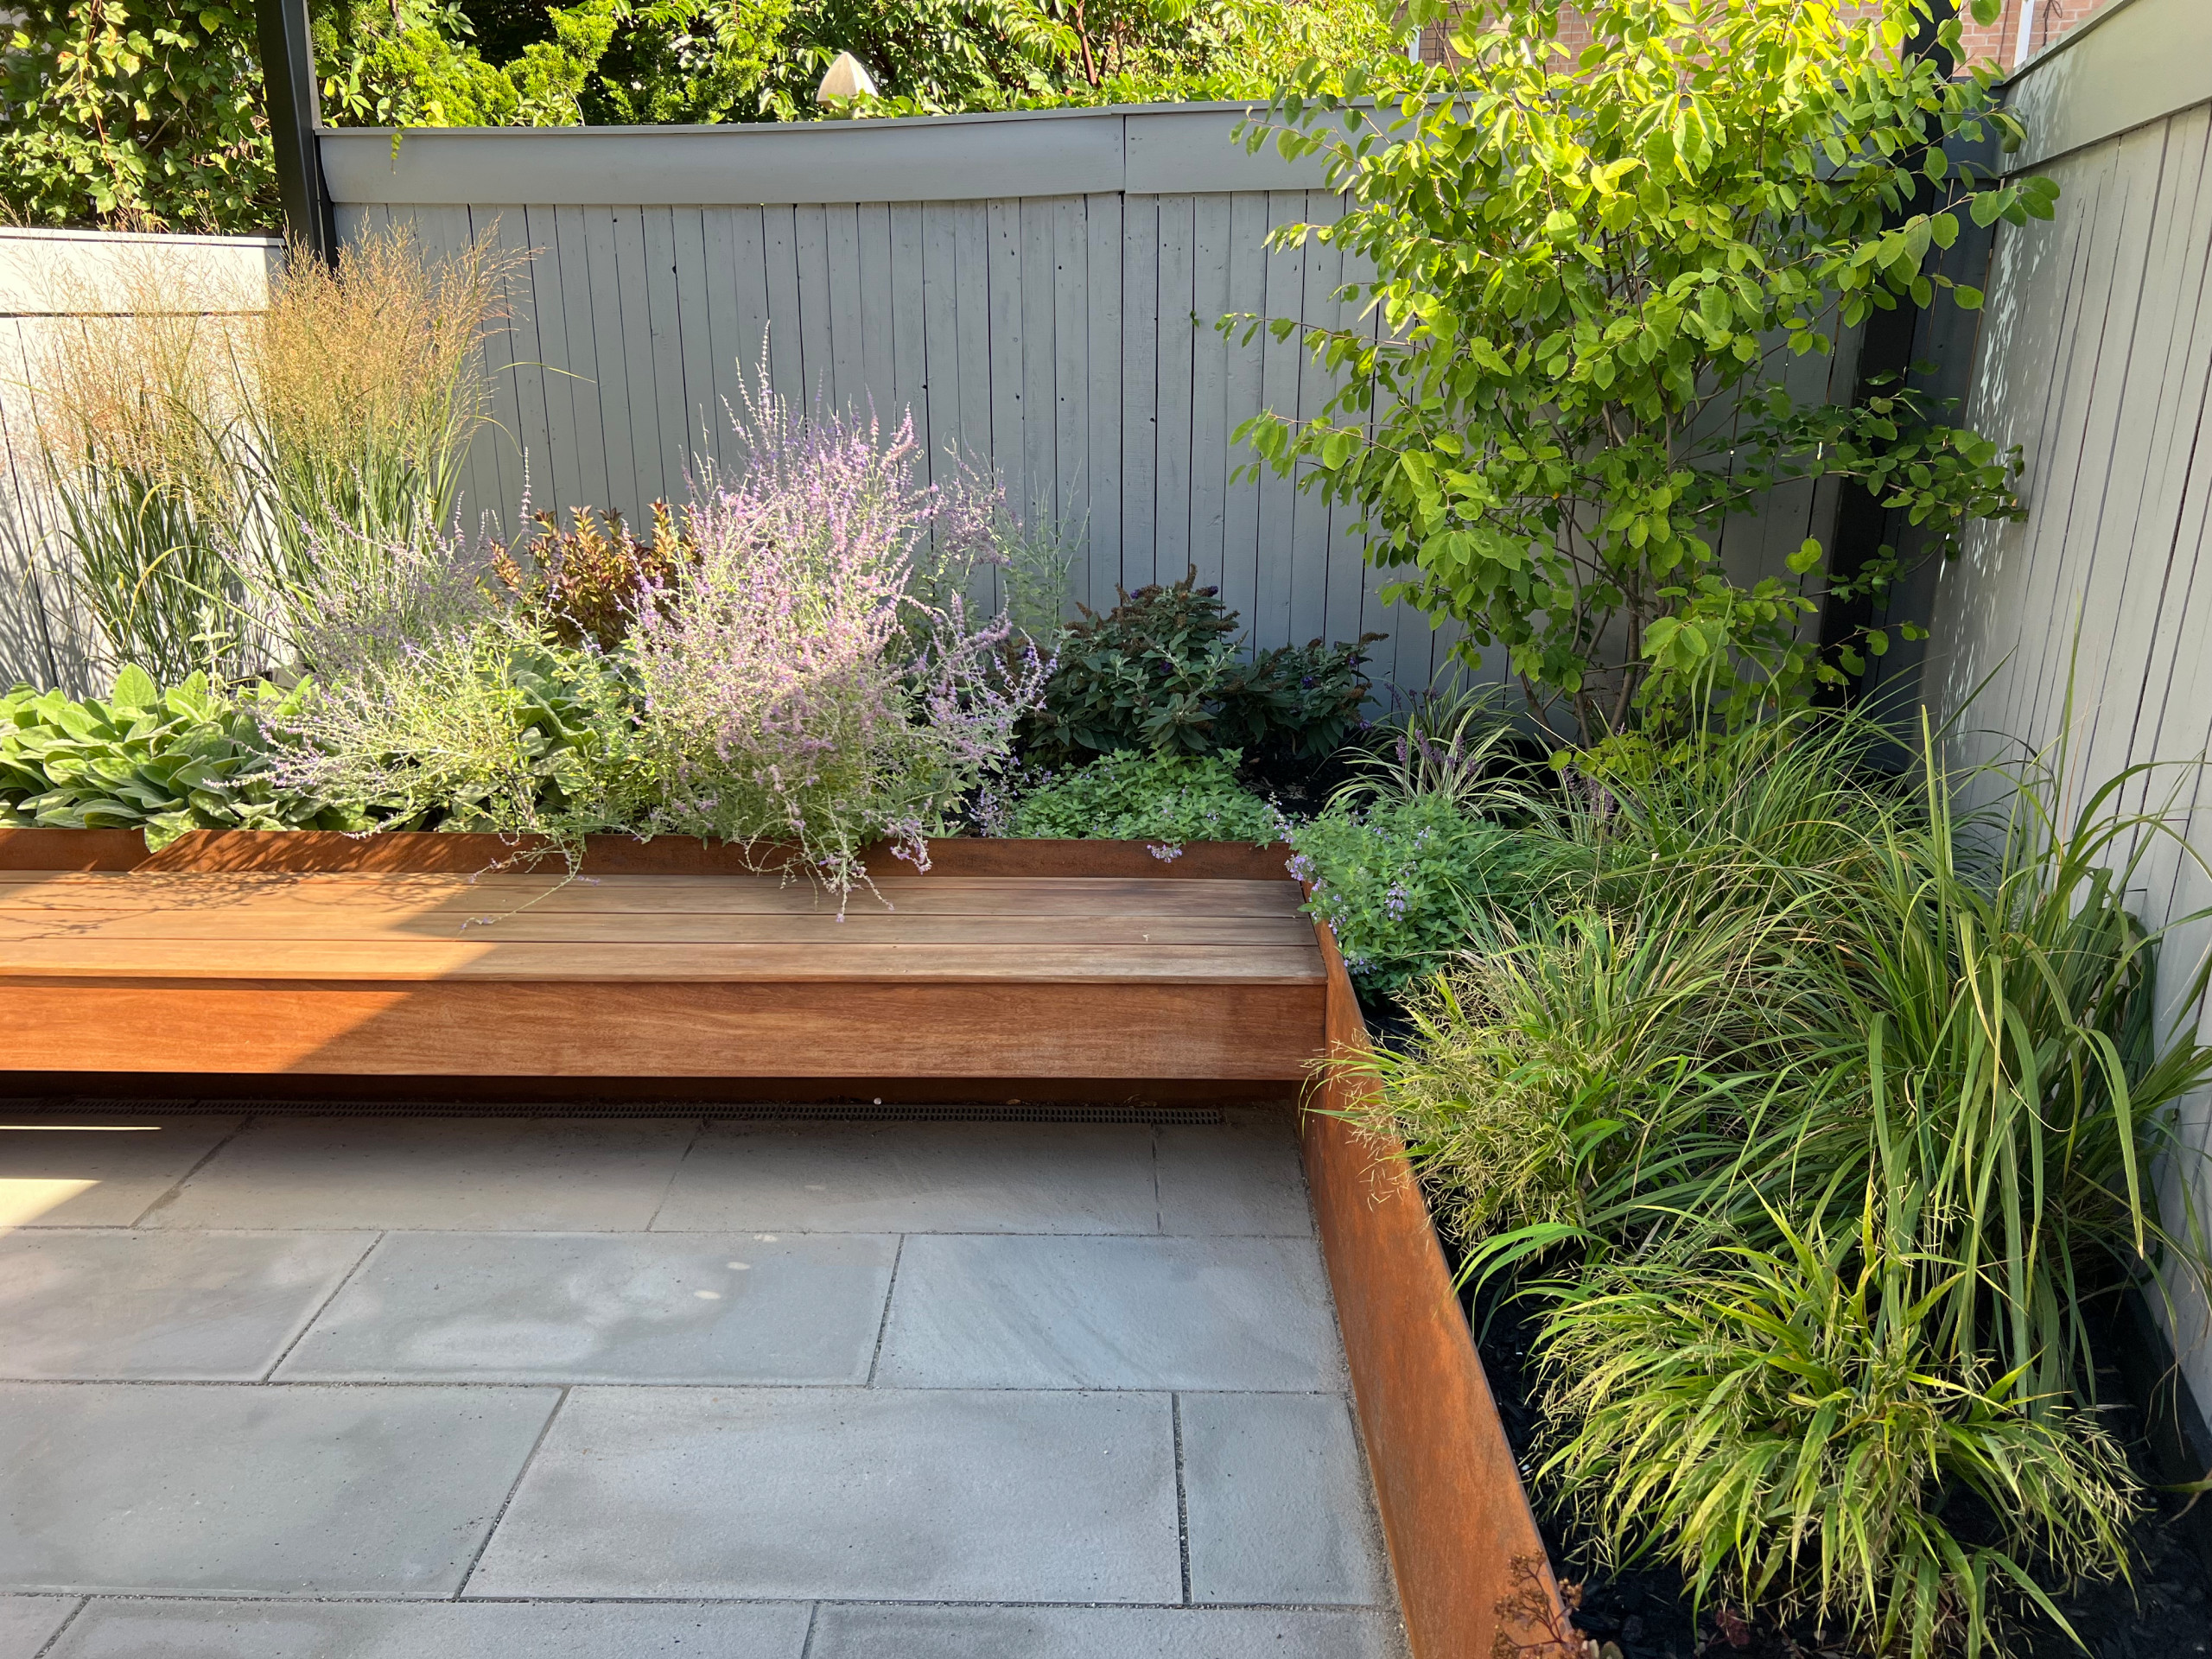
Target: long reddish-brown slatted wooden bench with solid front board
{"type": "Point", "coordinates": [446, 974]}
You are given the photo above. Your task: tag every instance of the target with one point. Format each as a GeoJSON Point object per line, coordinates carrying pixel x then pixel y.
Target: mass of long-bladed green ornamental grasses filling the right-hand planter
{"type": "Point", "coordinates": [1817, 1125]}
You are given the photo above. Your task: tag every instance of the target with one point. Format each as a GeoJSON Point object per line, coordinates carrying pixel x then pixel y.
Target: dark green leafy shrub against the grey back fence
{"type": "Point", "coordinates": [1162, 674]}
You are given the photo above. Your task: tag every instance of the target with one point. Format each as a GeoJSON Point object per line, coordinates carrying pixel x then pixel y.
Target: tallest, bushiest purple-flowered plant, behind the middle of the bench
{"type": "Point", "coordinates": [797, 696]}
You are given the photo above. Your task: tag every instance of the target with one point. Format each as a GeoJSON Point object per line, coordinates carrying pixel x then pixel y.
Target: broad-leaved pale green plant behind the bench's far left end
{"type": "Point", "coordinates": [165, 762]}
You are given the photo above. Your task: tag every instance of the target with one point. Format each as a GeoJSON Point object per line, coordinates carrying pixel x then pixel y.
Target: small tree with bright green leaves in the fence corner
{"type": "Point", "coordinates": [1594, 271]}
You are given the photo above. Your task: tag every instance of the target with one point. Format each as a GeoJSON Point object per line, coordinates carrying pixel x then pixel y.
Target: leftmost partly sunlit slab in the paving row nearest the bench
{"type": "Point", "coordinates": [94, 1169]}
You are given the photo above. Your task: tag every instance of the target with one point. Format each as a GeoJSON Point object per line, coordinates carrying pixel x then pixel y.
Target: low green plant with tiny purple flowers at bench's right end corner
{"type": "Point", "coordinates": [1404, 881]}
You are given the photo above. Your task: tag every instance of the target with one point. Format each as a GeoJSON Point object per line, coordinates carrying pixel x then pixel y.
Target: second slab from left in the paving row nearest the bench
{"type": "Point", "coordinates": [446, 1173]}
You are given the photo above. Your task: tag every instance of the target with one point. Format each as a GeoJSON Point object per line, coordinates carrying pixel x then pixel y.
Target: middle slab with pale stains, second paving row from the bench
{"type": "Point", "coordinates": [594, 1308]}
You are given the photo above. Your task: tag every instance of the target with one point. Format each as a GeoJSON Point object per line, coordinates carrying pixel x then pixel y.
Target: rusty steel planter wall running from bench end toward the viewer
{"type": "Point", "coordinates": [1472, 1572]}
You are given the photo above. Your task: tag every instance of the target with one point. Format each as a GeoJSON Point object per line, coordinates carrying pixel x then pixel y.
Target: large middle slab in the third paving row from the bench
{"type": "Point", "coordinates": [853, 1494]}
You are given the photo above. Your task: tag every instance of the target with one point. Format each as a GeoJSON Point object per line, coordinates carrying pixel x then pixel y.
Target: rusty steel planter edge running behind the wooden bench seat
{"type": "Point", "coordinates": [463, 855]}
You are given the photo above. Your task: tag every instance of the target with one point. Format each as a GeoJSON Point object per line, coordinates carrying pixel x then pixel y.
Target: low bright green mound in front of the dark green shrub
{"type": "Point", "coordinates": [1147, 797]}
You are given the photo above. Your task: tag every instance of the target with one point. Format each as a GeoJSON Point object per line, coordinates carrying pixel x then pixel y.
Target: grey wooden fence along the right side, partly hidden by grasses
{"type": "Point", "coordinates": [2096, 355]}
